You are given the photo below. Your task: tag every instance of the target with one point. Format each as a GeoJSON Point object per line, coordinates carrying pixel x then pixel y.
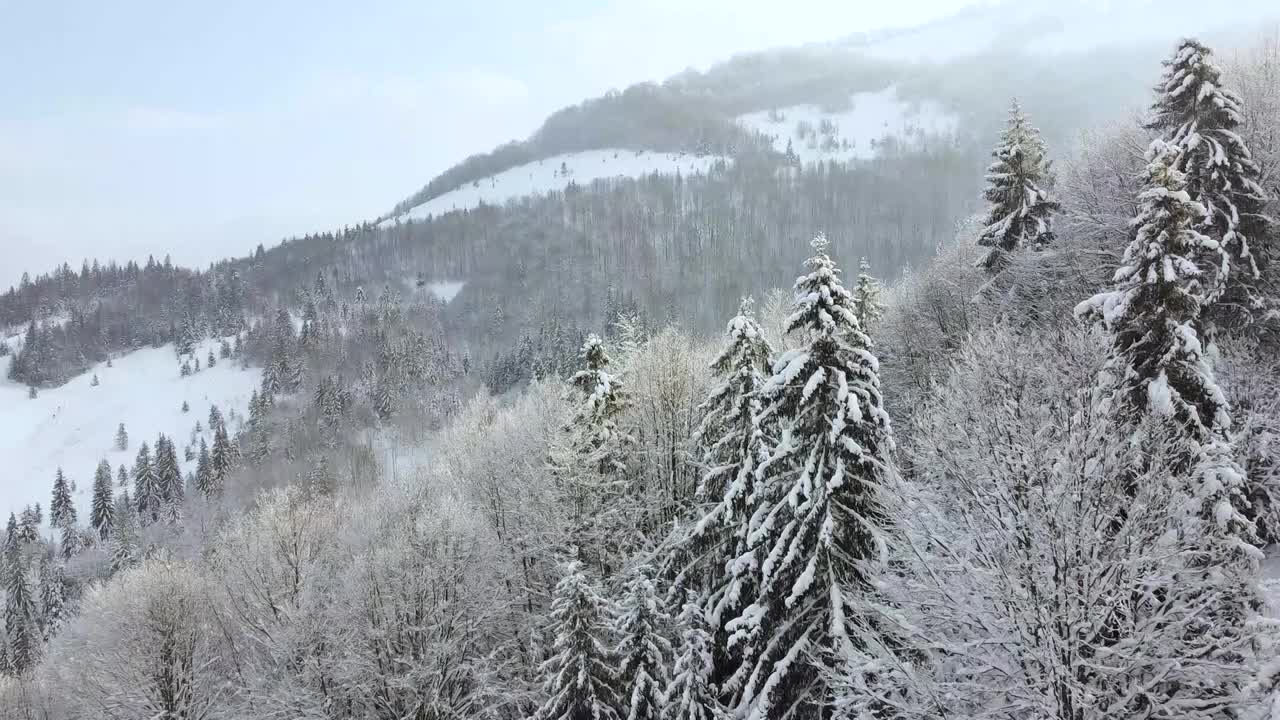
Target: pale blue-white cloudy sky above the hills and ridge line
{"type": "Point", "coordinates": [204, 129]}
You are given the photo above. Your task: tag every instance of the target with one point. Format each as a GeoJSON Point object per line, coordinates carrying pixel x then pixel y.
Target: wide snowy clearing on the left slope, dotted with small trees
{"type": "Point", "coordinates": [74, 427]}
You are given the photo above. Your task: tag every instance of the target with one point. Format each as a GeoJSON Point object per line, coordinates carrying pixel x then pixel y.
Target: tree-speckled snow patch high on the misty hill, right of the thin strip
{"type": "Point", "coordinates": [853, 134]}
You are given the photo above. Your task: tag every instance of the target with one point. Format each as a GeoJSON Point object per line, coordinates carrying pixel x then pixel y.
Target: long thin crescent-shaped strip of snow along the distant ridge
{"type": "Point", "coordinates": [557, 174]}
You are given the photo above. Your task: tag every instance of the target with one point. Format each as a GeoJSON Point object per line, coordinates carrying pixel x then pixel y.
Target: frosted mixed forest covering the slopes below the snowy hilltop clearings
{"type": "Point", "coordinates": [1034, 476]}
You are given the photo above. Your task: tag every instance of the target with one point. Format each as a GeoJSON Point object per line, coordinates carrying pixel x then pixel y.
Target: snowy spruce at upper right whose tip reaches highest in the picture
{"type": "Point", "coordinates": [1195, 111]}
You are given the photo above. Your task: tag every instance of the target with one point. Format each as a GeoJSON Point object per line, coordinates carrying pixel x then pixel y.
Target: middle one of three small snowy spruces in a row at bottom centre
{"type": "Point", "coordinates": [643, 650]}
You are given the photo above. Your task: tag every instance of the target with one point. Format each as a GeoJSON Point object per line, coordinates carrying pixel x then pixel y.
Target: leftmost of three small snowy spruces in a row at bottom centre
{"type": "Point", "coordinates": [580, 682]}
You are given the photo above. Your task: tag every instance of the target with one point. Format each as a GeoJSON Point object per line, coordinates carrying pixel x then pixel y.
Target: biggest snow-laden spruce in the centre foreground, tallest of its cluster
{"type": "Point", "coordinates": [820, 502]}
